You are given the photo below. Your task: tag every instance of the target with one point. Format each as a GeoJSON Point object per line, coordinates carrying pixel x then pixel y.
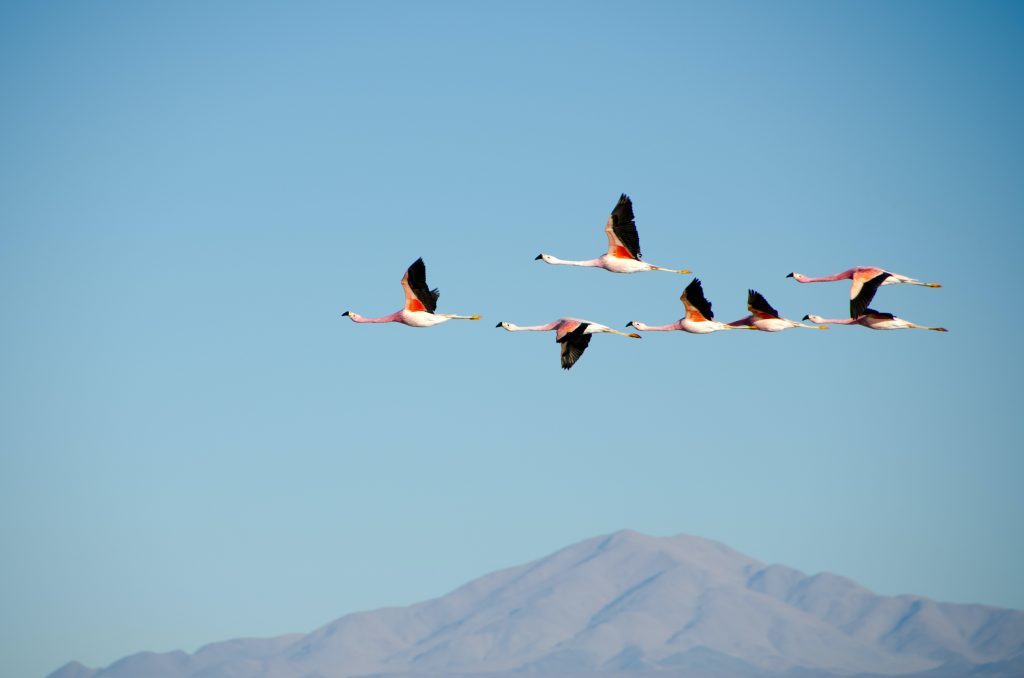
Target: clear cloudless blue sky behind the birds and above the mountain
{"type": "Point", "coordinates": [196, 446]}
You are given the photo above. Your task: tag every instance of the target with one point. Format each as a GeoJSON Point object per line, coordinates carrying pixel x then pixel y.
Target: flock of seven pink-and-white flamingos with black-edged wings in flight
{"type": "Point", "coordinates": [623, 257]}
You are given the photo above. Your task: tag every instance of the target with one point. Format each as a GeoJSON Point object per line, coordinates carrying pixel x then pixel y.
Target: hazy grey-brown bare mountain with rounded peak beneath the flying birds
{"type": "Point", "coordinates": [632, 606]}
